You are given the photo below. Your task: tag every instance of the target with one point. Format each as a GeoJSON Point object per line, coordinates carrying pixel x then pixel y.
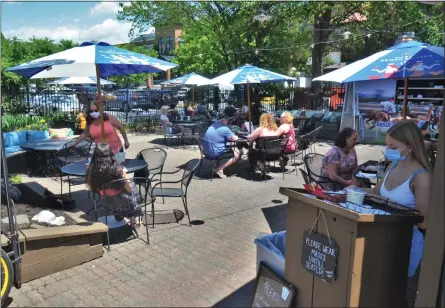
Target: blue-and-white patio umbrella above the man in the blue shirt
{"type": "Point", "coordinates": [247, 75]}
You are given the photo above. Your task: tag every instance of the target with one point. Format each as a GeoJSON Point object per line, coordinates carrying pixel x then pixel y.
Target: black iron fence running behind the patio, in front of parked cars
{"type": "Point", "coordinates": [126, 104]}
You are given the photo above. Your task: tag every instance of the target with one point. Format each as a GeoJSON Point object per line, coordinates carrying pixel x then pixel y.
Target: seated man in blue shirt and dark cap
{"type": "Point", "coordinates": [218, 134]}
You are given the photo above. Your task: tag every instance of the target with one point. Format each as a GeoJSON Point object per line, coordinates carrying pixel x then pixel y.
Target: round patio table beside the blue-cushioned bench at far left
{"type": "Point", "coordinates": [45, 150]}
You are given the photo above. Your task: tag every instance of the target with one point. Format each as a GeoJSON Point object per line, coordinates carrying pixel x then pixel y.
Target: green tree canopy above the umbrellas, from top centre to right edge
{"type": "Point", "coordinates": [218, 36]}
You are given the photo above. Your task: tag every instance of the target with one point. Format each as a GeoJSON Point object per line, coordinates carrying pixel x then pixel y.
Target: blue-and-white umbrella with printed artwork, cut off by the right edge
{"type": "Point", "coordinates": [408, 59]}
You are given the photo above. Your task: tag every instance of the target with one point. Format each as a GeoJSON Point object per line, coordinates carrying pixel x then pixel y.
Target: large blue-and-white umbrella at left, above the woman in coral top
{"type": "Point", "coordinates": [98, 59]}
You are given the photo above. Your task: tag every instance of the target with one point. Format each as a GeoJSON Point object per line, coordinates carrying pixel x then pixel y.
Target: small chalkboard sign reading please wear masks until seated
{"type": "Point", "coordinates": [319, 255]}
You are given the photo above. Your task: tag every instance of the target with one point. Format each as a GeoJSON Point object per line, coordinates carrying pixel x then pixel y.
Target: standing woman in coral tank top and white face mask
{"type": "Point", "coordinates": [94, 130]}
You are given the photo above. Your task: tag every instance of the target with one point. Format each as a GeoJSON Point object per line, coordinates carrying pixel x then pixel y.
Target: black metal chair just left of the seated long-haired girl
{"type": "Point", "coordinates": [68, 155]}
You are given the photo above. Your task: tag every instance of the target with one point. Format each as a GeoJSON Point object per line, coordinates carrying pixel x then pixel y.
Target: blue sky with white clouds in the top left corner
{"type": "Point", "coordinates": [79, 21]}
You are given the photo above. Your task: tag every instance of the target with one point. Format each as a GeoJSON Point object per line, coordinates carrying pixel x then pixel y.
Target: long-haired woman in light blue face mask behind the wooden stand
{"type": "Point", "coordinates": [407, 182]}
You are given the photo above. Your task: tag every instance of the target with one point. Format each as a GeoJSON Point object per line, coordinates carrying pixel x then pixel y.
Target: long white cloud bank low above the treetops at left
{"type": "Point", "coordinates": [110, 31]}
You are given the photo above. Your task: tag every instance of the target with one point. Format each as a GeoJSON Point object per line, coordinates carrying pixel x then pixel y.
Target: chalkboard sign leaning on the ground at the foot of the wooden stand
{"type": "Point", "coordinates": [272, 290]}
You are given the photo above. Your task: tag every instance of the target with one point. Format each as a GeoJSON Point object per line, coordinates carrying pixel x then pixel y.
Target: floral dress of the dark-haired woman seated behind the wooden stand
{"type": "Point", "coordinates": [346, 164]}
